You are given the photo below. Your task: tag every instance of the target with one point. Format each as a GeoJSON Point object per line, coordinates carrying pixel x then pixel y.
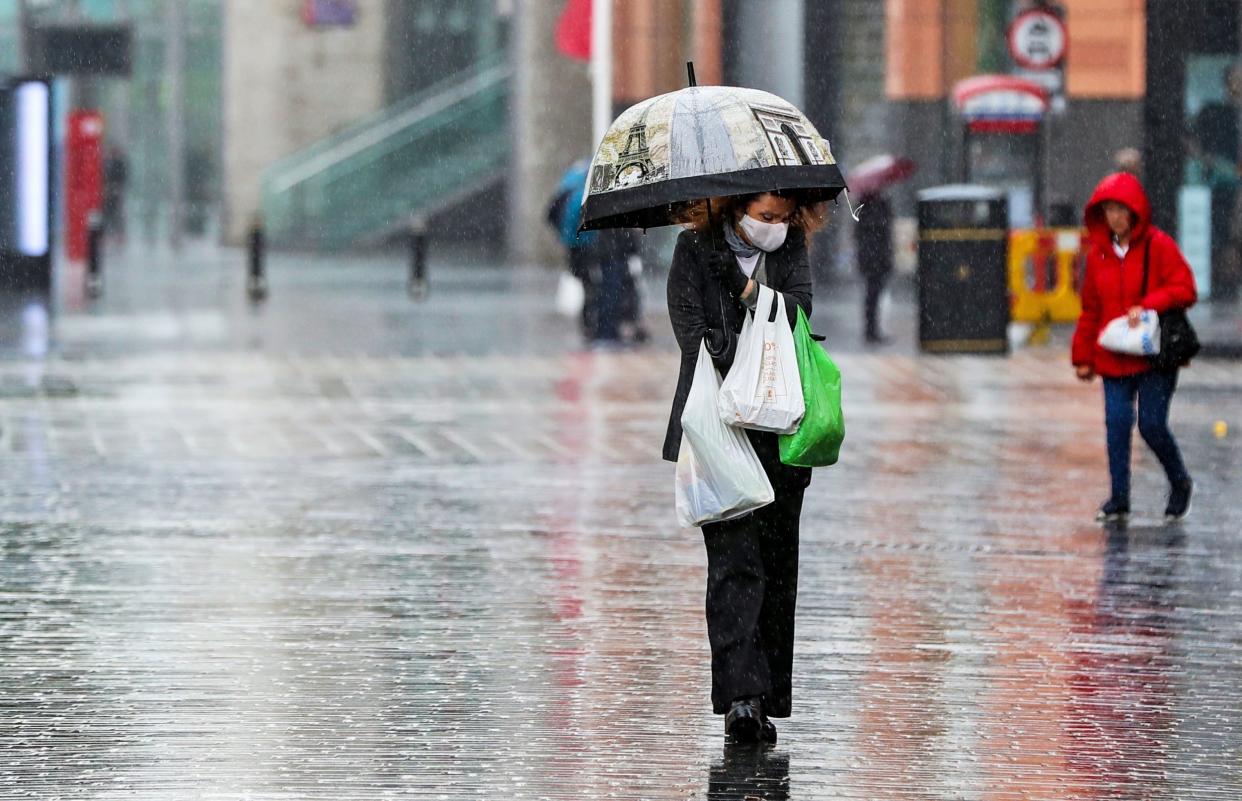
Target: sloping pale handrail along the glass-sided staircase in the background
{"type": "Point", "coordinates": [368, 133]}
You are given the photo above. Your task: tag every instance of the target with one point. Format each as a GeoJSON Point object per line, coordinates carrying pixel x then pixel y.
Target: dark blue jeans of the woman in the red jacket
{"type": "Point", "coordinates": [1154, 392]}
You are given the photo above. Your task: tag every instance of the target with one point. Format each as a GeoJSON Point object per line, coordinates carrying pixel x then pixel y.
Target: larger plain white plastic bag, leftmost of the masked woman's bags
{"type": "Point", "coordinates": [718, 473]}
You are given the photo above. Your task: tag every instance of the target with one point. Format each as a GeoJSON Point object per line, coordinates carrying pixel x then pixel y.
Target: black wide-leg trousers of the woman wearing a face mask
{"type": "Point", "coordinates": [752, 594]}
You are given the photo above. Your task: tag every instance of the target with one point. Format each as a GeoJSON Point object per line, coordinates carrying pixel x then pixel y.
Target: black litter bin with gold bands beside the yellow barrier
{"type": "Point", "coordinates": [964, 305]}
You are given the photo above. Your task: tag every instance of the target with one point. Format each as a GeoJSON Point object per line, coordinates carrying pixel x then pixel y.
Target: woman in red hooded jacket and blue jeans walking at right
{"type": "Point", "coordinates": [1121, 239]}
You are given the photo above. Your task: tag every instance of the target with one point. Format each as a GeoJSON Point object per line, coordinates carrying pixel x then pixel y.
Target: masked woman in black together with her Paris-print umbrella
{"type": "Point", "coordinates": [665, 155]}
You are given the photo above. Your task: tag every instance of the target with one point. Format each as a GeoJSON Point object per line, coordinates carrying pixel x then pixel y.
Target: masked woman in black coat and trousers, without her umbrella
{"type": "Point", "coordinates": [752, 584]}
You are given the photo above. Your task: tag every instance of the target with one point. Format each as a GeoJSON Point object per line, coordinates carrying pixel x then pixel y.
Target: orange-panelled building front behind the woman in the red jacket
{"type": "Point", "coordinates": [1146, 76]}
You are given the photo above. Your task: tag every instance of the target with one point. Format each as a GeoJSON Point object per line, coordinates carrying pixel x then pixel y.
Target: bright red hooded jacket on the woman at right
{"type": "Point", "coordinates": [1113, 285]}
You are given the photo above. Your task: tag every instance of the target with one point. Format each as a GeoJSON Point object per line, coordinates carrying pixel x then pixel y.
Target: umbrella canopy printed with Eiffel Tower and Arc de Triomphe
{"type": "Point", "coordinates": [704, 142]}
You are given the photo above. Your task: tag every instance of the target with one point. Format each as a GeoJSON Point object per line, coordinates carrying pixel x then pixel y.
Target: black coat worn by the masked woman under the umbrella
{"type": "Point", "coordinates": [699, 307]}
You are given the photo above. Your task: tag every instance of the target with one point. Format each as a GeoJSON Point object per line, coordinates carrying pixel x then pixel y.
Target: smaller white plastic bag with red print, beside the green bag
{"type": "Point", "coordinates": [763, 391]}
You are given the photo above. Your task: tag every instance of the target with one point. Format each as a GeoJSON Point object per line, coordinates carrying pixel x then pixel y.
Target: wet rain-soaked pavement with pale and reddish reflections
{"type": "Point", "coordinates": [273, 571]}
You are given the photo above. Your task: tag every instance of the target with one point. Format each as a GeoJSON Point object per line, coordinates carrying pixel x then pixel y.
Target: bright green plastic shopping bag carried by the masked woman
{"type": "Point", "coordinates": [818, 440]}
